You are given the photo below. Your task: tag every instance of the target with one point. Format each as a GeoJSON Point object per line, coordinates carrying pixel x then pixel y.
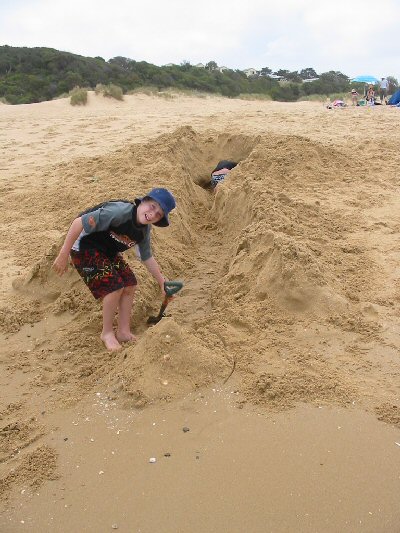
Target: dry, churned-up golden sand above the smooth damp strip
{"type": "Point", "coordinates": [290, 270]}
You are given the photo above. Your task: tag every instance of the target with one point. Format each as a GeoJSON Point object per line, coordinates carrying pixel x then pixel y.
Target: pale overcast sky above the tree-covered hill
{"type": "Point", "coordinates": [352, 36]}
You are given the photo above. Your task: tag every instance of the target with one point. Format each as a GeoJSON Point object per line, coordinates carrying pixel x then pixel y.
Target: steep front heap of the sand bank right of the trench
{"type": "Point", "coordinates": [273, 266]}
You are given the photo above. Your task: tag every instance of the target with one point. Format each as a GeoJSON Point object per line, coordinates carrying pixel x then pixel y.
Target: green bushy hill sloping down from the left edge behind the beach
{"type": "Point", "coordinates": [29, 75]}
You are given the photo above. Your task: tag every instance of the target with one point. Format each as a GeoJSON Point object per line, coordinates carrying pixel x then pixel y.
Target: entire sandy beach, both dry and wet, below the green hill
{"type": "Point", "coordinates": [291, 281]}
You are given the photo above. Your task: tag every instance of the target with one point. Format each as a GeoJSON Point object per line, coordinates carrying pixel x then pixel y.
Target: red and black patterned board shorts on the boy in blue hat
{"type": "Point", "coordinates": [101, 274]}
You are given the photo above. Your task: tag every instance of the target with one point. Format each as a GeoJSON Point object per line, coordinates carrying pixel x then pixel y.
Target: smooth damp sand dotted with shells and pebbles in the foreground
{"type": "Point", "coordinates": [234, 470]}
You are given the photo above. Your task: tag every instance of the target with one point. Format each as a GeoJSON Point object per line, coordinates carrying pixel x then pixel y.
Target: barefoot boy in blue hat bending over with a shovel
{"type": "Point", "coordinates": [94, 242]}
